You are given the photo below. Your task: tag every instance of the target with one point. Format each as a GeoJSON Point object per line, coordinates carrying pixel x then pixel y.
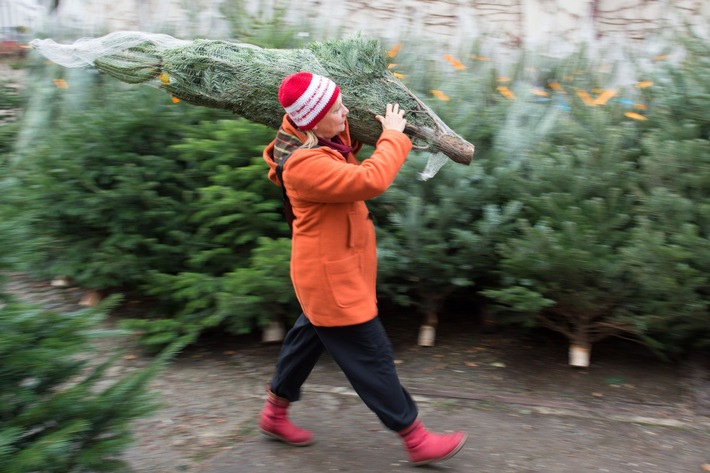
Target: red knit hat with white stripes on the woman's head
{"type": "Point", "coordinates": [307, 98]}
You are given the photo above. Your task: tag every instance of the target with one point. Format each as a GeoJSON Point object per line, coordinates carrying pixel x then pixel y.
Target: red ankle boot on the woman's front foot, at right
{"type": "Point", "coordinates": [425, 447]}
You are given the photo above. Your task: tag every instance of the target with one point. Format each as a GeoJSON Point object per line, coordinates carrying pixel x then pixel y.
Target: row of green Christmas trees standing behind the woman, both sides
{"type": "Point", "coordinates": [585, 211]}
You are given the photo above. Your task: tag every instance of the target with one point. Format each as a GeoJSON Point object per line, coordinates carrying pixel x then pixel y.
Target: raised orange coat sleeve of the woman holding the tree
{"type": "Point", "coordinates": [321, 175]}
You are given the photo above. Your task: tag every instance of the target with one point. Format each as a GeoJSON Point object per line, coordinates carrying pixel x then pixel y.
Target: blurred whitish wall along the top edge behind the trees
{"type": "Point", "coordinates": [446, 22]}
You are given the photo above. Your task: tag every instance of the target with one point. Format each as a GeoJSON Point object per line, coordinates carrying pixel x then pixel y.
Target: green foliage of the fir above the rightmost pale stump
{"type": "Point", "coordinates": [562, 270]}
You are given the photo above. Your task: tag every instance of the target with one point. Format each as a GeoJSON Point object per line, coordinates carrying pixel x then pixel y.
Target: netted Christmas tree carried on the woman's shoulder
{"type": "Point", "coordinates": [245, 78]}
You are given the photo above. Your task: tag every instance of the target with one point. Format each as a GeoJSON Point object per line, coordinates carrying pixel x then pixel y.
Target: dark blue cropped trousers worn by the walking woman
{"type": "Point", "coordinates": [363, 352]}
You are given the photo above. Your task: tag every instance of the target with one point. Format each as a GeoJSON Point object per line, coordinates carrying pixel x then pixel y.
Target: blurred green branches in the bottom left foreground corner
{"type": "Point", "coordinates": [59, 411]}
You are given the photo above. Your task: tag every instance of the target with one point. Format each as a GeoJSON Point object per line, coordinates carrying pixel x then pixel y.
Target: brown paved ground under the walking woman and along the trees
{"type": "Point", "coordinates": [524, 408]}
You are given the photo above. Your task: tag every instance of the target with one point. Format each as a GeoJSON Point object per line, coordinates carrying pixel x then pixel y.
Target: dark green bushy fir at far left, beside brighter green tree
{"type": "Point", "coordinates": [101, 198]}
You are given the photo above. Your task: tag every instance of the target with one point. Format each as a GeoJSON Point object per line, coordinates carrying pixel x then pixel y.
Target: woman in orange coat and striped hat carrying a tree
{"type": "Point", "coordinates": [334, 263]}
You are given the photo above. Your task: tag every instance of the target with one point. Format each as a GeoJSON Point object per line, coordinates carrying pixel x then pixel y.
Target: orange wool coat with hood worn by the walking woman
{"type": "Point", "coordinates": [333, 257]}
